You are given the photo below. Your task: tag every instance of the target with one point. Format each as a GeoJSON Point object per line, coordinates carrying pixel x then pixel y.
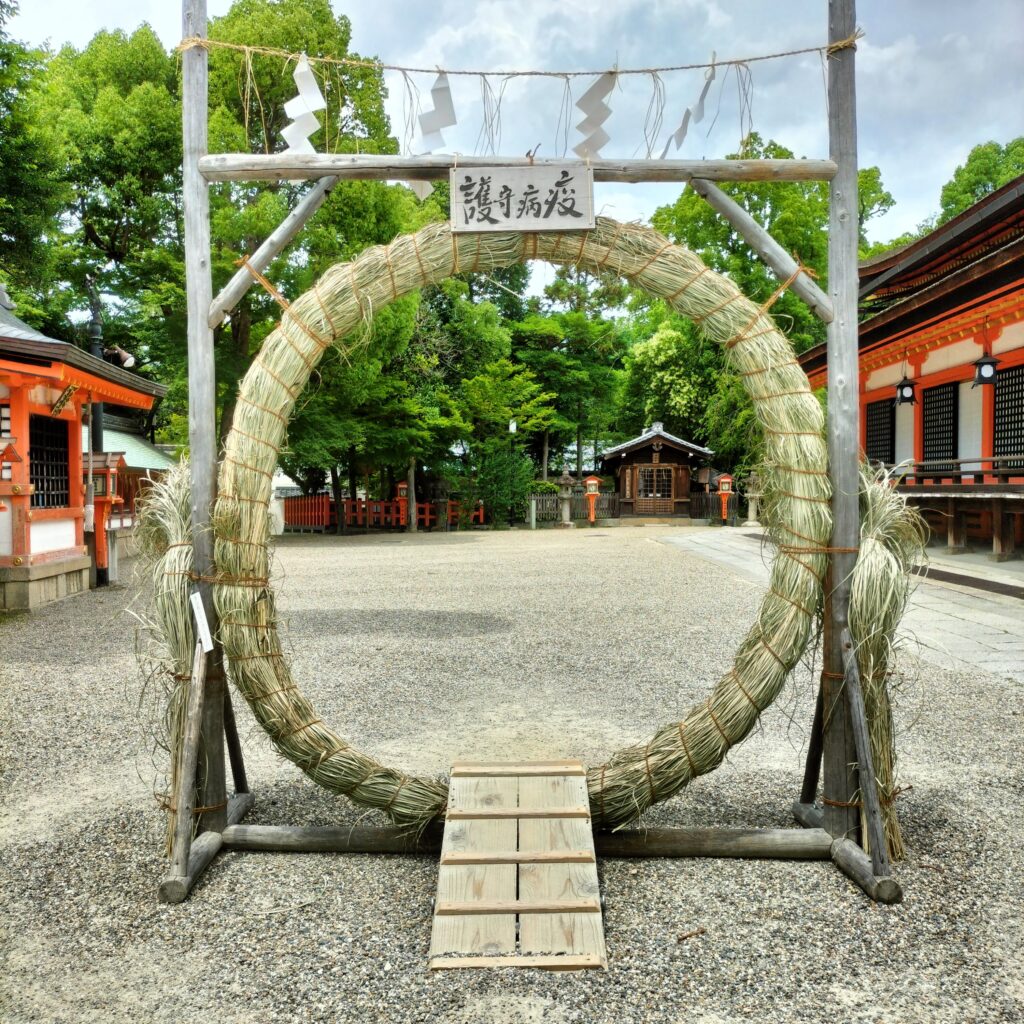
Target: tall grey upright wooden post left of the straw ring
{"type": "Point", "coordinates": [202, 393]}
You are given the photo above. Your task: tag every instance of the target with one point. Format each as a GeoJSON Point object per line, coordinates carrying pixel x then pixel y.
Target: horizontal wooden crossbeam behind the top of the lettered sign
{"type": "Point", "coordinates": [257, 167]}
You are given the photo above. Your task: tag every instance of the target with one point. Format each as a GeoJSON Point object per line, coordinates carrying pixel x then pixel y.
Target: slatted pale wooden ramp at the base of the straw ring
{"type": "Point", "coordinates": [518, 885]}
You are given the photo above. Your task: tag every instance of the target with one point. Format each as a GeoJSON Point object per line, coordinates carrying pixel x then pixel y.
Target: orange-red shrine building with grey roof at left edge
{"type": "Point", "coordinates": [51, 543]}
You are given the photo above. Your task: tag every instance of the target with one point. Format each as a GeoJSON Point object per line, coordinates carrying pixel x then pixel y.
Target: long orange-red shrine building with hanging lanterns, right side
{"type": "Point", "coordinates": [942, 361]}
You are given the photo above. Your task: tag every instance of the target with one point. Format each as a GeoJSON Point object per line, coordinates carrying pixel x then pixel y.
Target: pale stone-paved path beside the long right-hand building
{"type": "Point", "coordinates": [955, 626]}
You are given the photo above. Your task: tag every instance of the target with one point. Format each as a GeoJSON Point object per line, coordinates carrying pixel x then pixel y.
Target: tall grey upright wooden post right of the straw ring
{"type": "Point", "coordinates": [841, 819]}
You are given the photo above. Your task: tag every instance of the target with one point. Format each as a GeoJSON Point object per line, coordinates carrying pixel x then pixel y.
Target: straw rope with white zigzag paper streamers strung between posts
{"type": "Point", "coordinates": [593, 106]}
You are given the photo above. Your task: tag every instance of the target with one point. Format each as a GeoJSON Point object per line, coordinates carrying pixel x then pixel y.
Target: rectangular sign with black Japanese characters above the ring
{"type": "Point", "coordinates": [542, 198]}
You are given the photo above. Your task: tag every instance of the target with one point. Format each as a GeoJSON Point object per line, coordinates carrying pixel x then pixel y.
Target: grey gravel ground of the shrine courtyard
{"type": "Point", "coordinates": [426, 650]}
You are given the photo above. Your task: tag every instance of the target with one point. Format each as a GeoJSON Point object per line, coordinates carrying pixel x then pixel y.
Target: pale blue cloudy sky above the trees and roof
{"type": "Point", "coordinates": [934, 77]}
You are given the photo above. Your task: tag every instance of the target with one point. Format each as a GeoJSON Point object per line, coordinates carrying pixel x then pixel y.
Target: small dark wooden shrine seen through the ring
{"type": "Point", "coordinates": [654, 473]}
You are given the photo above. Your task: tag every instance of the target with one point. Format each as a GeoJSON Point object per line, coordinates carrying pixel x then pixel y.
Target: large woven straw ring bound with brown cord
{"type": "Point", "coordinates": [336, 313]}
